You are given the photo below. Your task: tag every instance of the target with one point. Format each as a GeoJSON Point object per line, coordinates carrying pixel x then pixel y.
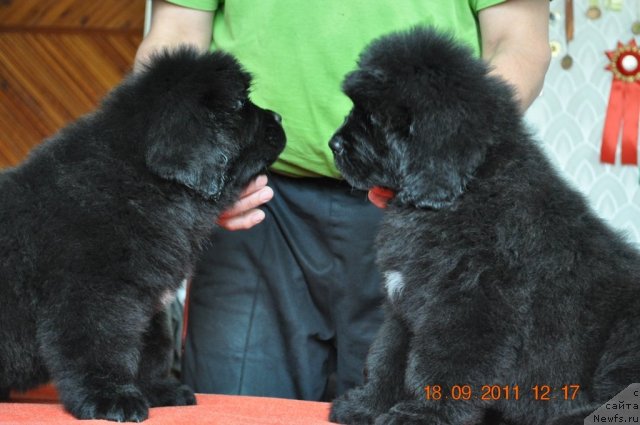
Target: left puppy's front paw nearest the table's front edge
{"type": "Point", "coordinates": [123, 403]}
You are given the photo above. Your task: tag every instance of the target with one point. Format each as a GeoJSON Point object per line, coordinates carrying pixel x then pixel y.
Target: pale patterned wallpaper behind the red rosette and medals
{"type": "Point", "coordinates": [569, 115]}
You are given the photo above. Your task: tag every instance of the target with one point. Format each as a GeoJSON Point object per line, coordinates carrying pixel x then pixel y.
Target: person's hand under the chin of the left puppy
{"type": "Point", "coordinates": [244, 214]}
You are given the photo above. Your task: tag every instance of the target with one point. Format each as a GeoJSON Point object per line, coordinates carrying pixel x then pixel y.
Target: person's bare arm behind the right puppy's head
{"type": "Point", "coordinates": [515, 41]}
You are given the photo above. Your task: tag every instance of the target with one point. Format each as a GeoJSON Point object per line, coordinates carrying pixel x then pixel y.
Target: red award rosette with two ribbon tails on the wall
{"type": "Point", "coordinates": [624, 105]}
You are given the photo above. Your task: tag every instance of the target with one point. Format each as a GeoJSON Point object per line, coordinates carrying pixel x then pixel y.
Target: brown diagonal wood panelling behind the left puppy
{"type": "Point", "coordinates": [57, 59]}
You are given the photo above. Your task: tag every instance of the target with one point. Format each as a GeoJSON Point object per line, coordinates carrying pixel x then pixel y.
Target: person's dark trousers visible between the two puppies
{"type": "Point", "coordinates": [289, 306]}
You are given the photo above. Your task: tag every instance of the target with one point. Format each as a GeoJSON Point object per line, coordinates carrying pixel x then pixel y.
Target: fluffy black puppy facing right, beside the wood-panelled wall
{"type": "Point", "coordinates": [102, 222]}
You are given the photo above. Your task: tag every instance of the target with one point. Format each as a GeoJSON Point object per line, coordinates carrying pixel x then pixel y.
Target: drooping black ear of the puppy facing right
{"type": "Point", "coordinates": [188, 153]}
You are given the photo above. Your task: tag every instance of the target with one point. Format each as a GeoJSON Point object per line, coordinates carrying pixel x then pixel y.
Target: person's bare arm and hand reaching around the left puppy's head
{"type": "Point", "coordinates": [172, 25]}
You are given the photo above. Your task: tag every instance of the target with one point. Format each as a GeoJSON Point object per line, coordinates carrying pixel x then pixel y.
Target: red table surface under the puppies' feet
{"type": "Point", "coordinates": [41, 408]}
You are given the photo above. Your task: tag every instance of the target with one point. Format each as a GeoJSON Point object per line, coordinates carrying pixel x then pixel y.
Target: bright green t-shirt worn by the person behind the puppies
{"type": "Point", "coordinates": [298, 52]}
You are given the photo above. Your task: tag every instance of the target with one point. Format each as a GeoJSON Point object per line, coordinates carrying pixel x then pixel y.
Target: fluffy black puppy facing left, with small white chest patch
{"type": "Point", "coordinates": [508, 300]}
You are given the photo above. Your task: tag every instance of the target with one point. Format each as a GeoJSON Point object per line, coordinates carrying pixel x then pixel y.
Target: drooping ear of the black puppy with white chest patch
{"type": "Point", "coordinates": [436, 180]}
